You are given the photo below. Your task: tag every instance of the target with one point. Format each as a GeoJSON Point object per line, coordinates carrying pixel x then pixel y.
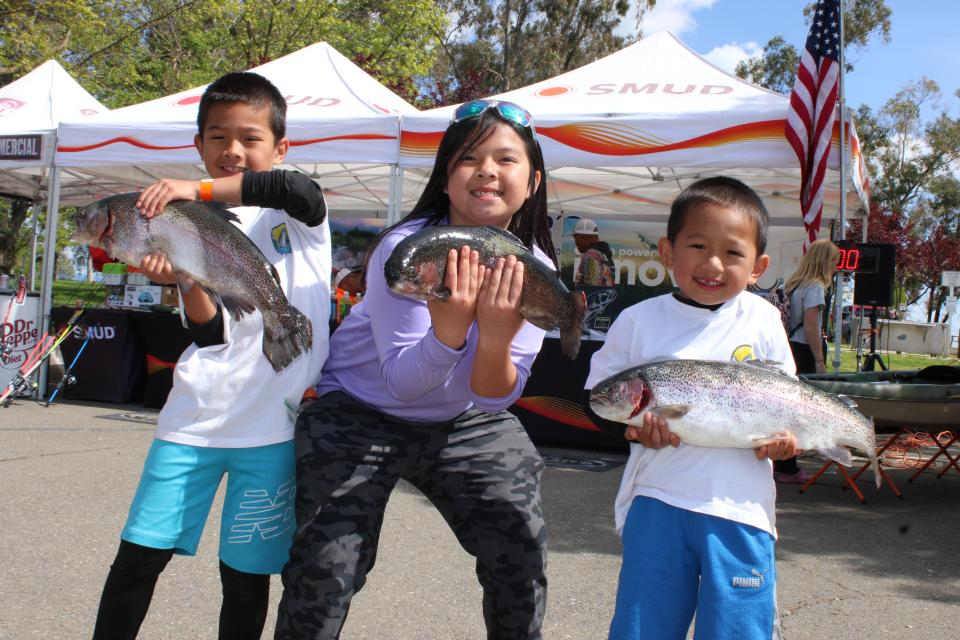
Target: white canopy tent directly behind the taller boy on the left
{"type": "Point", "coordinates": [342, 124]}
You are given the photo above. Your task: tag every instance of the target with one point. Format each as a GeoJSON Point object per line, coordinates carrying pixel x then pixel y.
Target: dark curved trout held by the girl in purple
{"type": "Point", "coordinates": [417, 268]}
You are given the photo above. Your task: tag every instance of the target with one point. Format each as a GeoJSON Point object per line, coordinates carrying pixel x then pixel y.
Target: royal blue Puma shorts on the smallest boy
{"type": "Point", "coordinates": [677, 562]}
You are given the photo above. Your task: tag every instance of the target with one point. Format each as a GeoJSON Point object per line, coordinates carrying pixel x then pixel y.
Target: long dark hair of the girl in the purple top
{"type": "Point", "coordinates": [530, 223]}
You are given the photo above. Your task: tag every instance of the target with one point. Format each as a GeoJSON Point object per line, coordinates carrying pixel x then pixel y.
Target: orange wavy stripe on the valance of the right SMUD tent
{"type": "Point", "coordinates": [615, 139]}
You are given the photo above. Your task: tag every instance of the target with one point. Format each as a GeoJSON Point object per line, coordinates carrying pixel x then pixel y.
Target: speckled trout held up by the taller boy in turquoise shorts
{"type": "Point", "coordinates": [203, 247]}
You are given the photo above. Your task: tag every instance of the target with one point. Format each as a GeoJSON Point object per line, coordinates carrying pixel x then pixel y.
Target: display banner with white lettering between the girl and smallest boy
{"type": "Point", "coordinates": [638, 273]}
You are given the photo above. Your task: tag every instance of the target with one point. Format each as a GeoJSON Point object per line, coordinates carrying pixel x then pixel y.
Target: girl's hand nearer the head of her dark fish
{"type": "Point", "coordinates": [451, 318]}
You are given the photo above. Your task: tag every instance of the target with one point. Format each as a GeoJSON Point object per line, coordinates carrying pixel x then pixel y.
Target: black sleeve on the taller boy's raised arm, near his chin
{"type": "Point", "coordinates": [292, 191]}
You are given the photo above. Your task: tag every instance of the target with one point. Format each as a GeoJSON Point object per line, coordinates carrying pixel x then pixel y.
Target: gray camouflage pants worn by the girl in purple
{"type": "Point", "coordinates": [481, 472]}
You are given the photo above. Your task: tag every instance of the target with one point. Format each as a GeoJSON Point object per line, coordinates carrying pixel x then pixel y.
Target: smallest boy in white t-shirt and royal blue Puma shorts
{"type": "Point", "coordinates": [698, 523]}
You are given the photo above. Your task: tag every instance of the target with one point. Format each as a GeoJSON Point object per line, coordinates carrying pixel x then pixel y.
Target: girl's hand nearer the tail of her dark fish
{"type": "Point", "coordinates": [498, 304]}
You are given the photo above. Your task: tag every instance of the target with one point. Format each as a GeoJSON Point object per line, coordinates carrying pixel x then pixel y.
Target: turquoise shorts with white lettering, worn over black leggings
{"type": "Point", "coordinates": [178, 486]}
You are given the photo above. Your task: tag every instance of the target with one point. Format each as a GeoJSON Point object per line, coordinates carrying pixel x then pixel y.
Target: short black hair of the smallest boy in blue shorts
{"type": "Point", "coordinates": [724, 192]}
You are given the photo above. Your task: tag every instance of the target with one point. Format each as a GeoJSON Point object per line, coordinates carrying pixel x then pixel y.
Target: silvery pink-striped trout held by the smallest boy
{"type": "Point", "coordinates": [735, 405]}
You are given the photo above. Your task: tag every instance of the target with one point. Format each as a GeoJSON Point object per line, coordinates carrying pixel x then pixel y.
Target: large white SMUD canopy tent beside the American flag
{"type": "Point", "coordinates": [623, 135]}
